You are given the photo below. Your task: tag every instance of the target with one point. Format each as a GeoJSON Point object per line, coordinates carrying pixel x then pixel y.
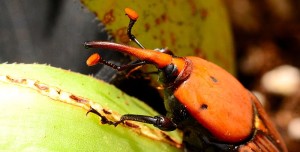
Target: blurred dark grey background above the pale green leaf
{"type": "Point", "coordinates": [46, 32]}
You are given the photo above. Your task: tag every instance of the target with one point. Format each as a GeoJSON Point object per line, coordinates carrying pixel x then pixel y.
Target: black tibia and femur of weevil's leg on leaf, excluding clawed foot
{"type": "Point", "coordinates": [161, 122]}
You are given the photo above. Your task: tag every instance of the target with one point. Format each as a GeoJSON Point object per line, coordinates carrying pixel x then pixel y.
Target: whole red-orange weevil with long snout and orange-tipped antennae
{"type": "Point", "coordinates": [214, 111]}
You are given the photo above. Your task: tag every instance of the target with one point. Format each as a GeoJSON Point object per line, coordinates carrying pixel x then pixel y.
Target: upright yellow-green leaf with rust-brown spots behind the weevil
{"type": "Point", "coordinates": [193, 27]}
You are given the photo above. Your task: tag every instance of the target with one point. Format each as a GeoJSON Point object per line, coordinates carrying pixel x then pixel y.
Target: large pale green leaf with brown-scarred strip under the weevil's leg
{"type": "Point", "coordinates": [44, 109]}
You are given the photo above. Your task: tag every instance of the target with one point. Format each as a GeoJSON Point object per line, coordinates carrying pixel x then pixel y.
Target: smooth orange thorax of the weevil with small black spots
{"type": "Point", "coordinates": [217, 101]}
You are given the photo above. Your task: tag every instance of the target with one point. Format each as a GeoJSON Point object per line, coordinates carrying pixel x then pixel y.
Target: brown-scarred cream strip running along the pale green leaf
{"type": "Point", "coordinates": [107, 115]}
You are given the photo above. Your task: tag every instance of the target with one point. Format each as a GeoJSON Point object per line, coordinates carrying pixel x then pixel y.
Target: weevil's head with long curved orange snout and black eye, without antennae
{"type": "Point", "coordinates": [172, 69]}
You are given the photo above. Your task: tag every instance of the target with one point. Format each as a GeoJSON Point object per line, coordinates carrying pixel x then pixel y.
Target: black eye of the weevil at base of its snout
{"type": "Point", "coordinates": [168, 74]}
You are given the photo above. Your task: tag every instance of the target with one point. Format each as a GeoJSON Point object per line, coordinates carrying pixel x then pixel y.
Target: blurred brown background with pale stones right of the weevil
{"type": "Point", "coordinates": [267, 45]}
